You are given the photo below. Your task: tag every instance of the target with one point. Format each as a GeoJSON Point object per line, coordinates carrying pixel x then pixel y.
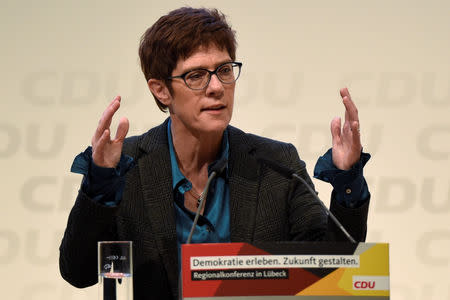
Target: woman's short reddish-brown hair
{"type": "Point", "coordinates": [178, 35]}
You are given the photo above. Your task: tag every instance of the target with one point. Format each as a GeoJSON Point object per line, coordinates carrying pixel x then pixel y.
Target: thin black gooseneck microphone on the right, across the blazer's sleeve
{"type": "Point", "coordinates": [289, 173]}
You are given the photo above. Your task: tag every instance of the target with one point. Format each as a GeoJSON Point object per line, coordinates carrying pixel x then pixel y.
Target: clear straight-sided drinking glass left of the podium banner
{"type": "Point", "coordinates": [115, 270]}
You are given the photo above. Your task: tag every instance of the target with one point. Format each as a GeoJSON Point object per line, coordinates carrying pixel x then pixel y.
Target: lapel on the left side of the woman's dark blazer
{"type": "Point", "coordinates": [156, 178]}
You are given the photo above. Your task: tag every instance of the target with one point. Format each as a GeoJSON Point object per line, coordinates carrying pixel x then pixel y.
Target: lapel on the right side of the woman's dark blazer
{"type": "Point", "coordinates": [244, 185]}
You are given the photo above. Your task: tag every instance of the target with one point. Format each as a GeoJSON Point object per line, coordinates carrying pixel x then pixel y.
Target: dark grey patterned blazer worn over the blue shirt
{"type": "Point", "coordinates": [264, 206]}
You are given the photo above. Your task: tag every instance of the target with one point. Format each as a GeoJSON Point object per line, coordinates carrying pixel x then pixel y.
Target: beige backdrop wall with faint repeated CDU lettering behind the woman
{"type": "Point", "coordinates": [63, 61]}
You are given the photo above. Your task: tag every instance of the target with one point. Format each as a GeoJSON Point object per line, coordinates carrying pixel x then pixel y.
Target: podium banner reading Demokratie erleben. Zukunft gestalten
{"type": "Point", "coordinates": [286, 270]}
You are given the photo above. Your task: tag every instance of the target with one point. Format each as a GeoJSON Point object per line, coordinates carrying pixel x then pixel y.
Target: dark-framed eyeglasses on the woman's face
{"type": "Point", "coordinates": [199, 79]}
